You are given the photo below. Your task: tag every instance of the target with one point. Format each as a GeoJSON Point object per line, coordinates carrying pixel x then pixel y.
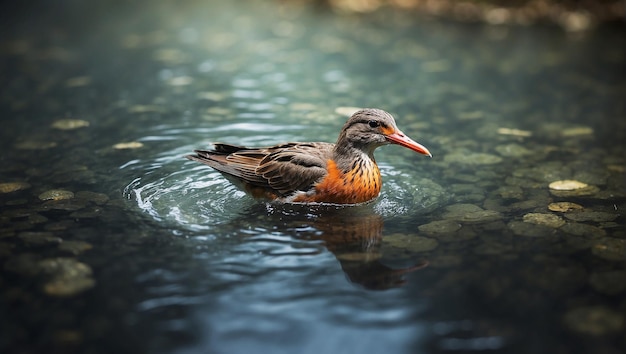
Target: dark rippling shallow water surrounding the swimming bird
{"type": "Point", "coordinates": [155, 253]}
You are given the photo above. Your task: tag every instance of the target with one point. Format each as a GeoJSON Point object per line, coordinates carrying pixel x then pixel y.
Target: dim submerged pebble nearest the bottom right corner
{"type": "Point", "coordinates": [594, 320]}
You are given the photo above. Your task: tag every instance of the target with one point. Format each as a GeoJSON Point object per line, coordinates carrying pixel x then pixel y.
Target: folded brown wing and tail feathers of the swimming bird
{"type": "Point", "coordinates": [282, 169]}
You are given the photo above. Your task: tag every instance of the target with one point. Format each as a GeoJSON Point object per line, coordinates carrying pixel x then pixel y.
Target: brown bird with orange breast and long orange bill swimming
{"type": "Point", "coordinates": [314, 172]}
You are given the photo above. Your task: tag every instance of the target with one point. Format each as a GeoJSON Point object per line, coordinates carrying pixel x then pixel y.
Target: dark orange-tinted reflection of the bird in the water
{"type": "Point", "coordinates": [353, 234]}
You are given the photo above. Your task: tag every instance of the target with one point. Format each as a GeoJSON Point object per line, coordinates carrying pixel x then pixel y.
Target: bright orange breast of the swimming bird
{"type": "Point", "coordinates": [359, 185]}
